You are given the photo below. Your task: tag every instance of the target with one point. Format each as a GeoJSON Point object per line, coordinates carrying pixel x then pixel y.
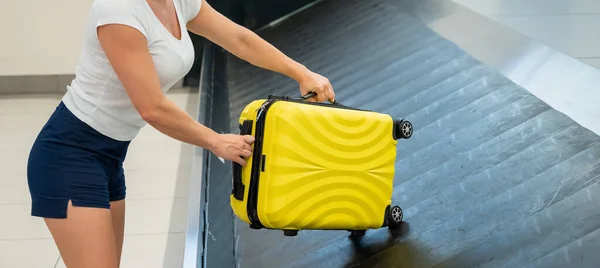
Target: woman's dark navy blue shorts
{"type": "Point", "coordinates": [69, 160]}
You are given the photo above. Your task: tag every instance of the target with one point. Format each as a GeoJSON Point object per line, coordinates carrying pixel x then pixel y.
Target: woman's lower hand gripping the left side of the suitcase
{"type": "Point", "coordinates": [234, 147]}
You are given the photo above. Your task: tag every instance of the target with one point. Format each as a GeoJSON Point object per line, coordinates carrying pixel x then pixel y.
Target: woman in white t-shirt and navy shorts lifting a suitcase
{"type": "Point", "coordinates": [134, 50]}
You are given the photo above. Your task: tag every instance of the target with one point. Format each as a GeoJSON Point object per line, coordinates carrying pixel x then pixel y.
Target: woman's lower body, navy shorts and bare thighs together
{"type": "Point", "coordinates": [71, 163]}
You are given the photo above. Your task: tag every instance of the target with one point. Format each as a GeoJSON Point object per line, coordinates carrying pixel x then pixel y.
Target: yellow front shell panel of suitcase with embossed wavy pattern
{"type": "Point", "coordinates": [298, 192]}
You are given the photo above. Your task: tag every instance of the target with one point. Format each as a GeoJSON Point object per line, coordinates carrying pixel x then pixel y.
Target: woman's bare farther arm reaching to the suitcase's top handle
{"type": "Point", "coordinates": [248, 46]}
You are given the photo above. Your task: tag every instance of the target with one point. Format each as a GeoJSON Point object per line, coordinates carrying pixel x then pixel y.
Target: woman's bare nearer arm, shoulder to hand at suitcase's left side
{"type": "Point", "coordinates": [127, 51]}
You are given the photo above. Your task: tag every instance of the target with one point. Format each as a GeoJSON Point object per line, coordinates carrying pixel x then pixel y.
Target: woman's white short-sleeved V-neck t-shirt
{"type": "Point", "coordinates": [96, 95]}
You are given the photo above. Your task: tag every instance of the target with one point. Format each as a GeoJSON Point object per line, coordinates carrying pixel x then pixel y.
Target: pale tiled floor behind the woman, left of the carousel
{"type": "Point", "coordinates": [157, 170]}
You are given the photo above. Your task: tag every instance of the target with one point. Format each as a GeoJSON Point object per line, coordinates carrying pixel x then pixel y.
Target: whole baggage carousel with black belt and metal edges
{"type": "Point", "coordinates": [500, 170]}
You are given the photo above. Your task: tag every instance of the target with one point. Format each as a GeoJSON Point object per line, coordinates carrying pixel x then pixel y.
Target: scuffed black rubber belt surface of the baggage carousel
{"type": "Point", "coordinates": [493, 177]}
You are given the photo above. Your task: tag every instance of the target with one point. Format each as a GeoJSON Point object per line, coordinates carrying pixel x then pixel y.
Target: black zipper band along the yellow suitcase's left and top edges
{"type": "Point", "coordinates": [257, 154]}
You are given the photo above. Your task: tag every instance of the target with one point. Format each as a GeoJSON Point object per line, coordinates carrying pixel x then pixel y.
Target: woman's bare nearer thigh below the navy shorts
{"type": "Point", "coordinates": [85, 238]}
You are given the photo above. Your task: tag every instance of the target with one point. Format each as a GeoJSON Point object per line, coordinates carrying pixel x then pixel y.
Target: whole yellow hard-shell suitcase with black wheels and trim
{"type": "Point", "coordinates": [317, 166]}
